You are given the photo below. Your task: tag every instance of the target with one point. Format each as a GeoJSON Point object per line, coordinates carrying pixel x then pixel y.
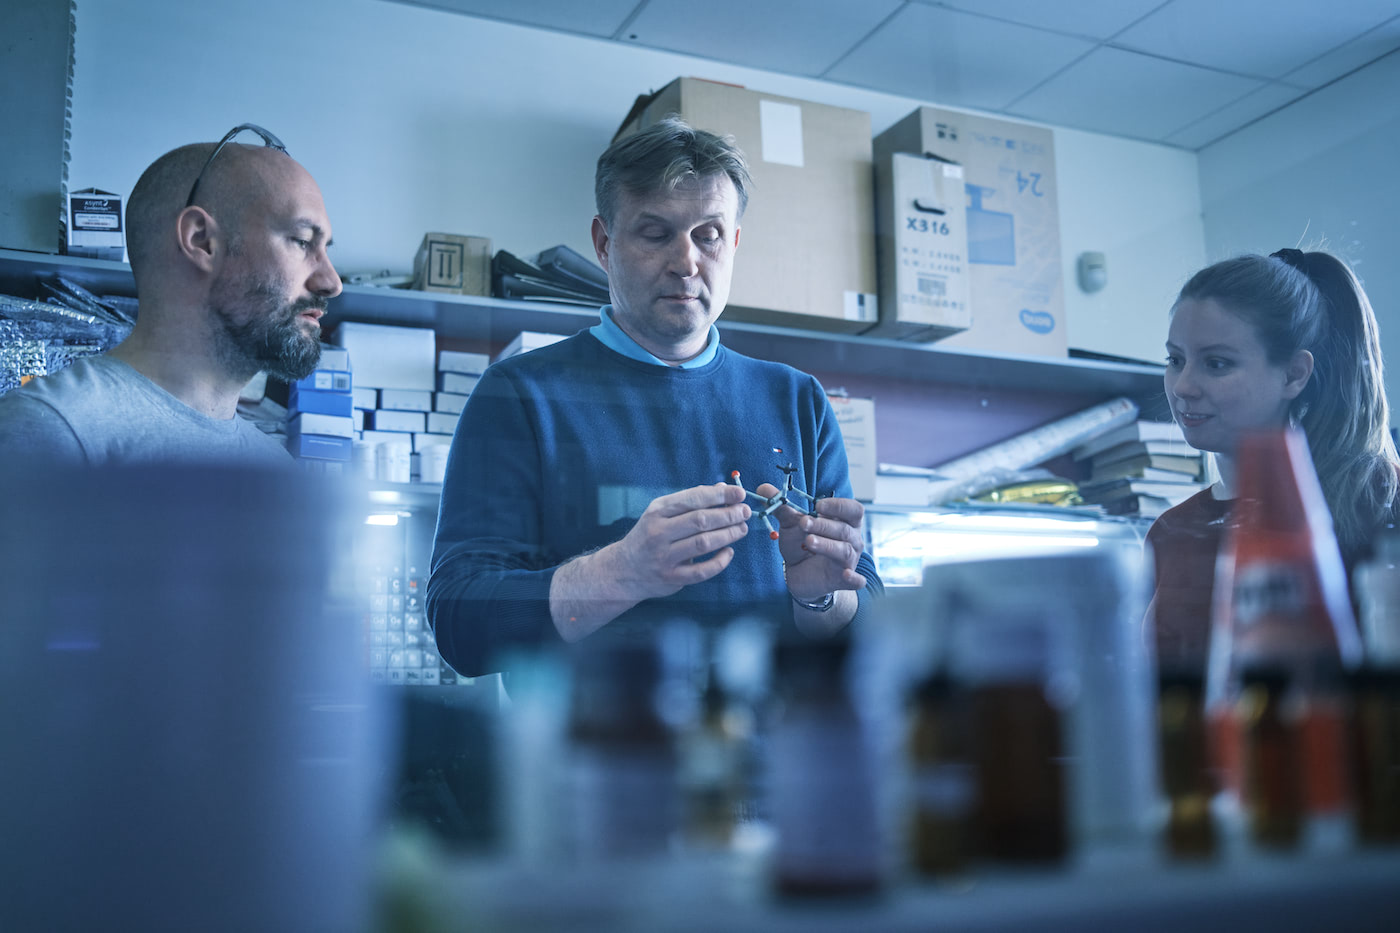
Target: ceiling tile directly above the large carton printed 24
{"type": "Point", "coordinates": [953, 58]}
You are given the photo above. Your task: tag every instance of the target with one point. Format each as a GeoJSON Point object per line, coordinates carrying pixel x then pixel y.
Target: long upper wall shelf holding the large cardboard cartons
{"type": "Point", "coordinates": [499, 320]}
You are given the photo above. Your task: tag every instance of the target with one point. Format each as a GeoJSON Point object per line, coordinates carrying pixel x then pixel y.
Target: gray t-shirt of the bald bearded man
{"type": "Point", "coordinates": [103, 411]}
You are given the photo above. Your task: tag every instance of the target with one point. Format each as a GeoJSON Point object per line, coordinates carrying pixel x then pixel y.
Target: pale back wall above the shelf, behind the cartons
{"type": "Point", "coordinates": [415, 120]}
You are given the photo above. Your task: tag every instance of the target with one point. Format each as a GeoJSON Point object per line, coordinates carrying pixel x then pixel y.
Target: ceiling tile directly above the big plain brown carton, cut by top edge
{"type": "Point", "coordinates": [761, 34]}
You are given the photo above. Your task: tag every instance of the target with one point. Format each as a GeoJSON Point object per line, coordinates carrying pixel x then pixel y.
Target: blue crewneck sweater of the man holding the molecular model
{"type": "Point", "coordinates": [561, 450]}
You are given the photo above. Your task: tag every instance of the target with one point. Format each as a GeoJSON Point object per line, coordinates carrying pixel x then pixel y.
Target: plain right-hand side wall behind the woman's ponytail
{"type": "Point", "coordinates": [1321, 173]}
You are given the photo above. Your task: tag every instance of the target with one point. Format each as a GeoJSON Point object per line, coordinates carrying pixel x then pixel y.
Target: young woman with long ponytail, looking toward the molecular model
{"type": "Point", "coordinates": [1259, 343]}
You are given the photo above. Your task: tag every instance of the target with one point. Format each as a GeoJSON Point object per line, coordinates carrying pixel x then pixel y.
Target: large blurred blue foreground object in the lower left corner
{"type": "Point", "coordinates": [190, 739]}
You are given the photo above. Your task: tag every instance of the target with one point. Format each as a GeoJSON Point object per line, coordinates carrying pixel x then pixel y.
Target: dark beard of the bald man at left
{"type": "Point", "coordinates": [262, 334]}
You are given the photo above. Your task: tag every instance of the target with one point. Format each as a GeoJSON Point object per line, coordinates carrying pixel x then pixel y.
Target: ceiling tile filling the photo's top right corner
{"type": "Point", "coordinates": [1266, 39]}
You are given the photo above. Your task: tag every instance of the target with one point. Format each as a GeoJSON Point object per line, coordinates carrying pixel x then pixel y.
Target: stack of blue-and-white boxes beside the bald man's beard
{"type": "Point", "coordinates": [320, 415]}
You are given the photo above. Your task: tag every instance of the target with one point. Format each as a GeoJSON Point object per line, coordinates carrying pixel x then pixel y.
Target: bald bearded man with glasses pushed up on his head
{"type": "Point", "coordinates": [229, 249]}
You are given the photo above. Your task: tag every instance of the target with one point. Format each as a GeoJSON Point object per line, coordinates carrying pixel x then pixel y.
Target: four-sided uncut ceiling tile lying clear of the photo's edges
{"type": "Point", "coordinates": [1129, 95]}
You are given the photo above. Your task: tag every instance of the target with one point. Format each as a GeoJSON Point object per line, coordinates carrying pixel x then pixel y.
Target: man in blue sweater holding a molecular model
{"type": "Point", "coordinates": [586, 487]}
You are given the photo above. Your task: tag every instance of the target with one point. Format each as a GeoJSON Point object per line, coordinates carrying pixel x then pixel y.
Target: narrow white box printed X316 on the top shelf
{"type": "Point", "coordinates": [922, 247]}
